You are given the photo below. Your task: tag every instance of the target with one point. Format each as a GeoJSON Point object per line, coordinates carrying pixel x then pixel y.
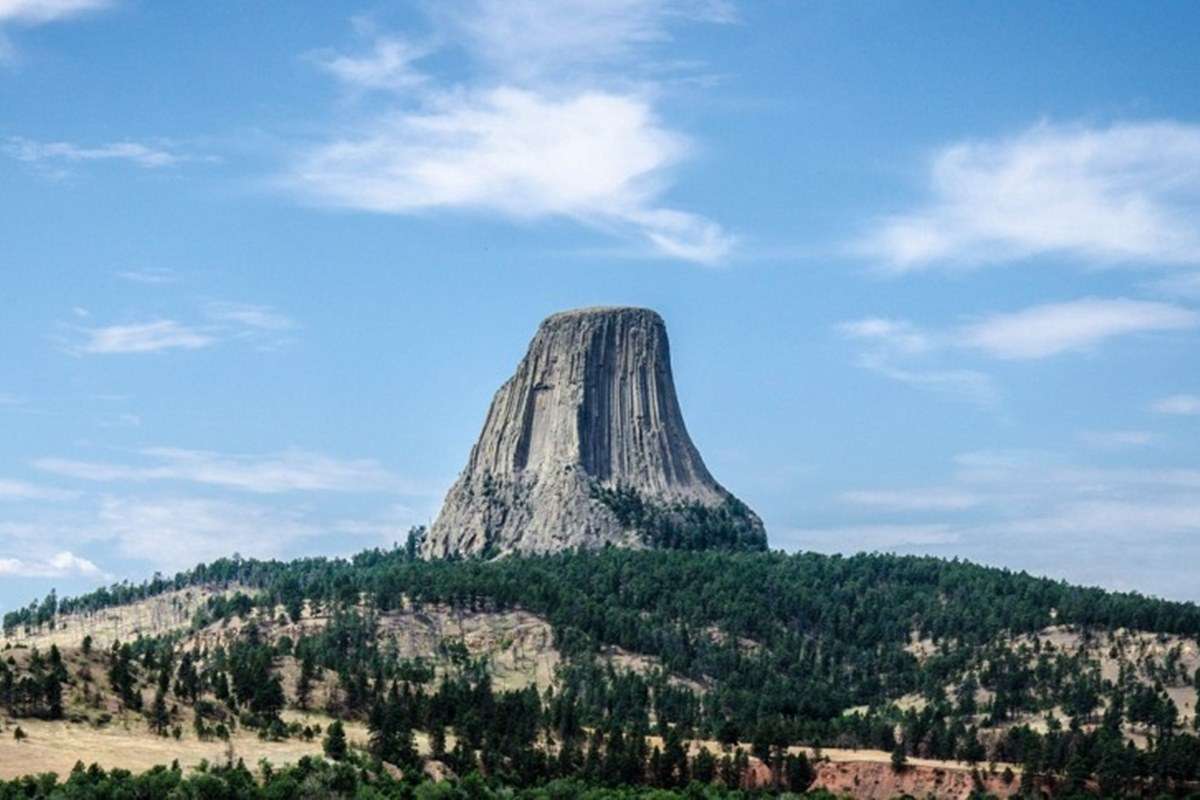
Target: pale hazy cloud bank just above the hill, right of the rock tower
{"type": "Point", "coordinates": [1125, 528]}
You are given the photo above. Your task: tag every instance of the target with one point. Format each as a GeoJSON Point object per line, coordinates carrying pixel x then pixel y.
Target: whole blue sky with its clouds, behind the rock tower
{"type": "Point", "coordinates": [932, 272]}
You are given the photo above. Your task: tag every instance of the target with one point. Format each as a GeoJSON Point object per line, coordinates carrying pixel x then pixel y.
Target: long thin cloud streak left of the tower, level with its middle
{"type": "Point", "coordinates": [286, 472]}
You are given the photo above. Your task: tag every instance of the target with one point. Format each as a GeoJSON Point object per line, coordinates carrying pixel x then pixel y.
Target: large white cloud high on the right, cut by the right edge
{"type": "Point", "coordinates": [1125, 194]}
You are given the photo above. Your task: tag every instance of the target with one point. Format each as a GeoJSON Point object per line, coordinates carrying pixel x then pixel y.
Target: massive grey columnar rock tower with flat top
{"type": "Point", "coordinates": [586, 447]}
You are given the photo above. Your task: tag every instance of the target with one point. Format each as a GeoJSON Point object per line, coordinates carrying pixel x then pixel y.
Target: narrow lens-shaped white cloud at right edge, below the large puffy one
{"type": "Point", "coordinates": [1052, 329]}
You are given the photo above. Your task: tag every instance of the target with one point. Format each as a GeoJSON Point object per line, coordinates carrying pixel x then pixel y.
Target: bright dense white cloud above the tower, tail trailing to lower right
{"type": "Point", "coordinates": [596, 158]}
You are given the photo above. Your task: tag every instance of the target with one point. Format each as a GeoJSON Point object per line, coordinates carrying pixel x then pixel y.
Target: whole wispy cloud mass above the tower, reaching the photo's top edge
{"type": "Point", "coordinates": [550, 125]}
